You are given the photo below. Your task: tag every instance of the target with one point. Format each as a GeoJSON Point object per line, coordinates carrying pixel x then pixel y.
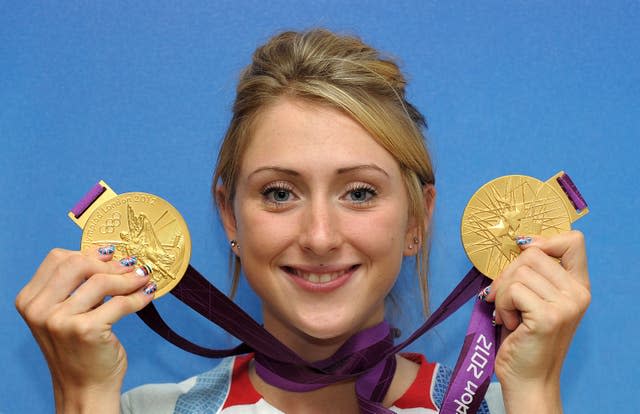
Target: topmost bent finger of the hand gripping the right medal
{"type": "Point", "coordinates": [569, 247]}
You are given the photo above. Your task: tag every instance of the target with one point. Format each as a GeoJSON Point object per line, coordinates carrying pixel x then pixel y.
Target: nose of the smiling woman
{"type": "Point", "coordinates": [320, 228]}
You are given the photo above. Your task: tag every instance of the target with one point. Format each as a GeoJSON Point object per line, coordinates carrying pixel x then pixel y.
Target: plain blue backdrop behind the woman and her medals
{"type": "Point", "coordinates": [139, 94]}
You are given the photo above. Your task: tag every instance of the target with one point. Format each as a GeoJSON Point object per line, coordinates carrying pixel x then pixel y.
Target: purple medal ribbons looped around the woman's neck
{"type": "Point", "coordinates": [368, 356]}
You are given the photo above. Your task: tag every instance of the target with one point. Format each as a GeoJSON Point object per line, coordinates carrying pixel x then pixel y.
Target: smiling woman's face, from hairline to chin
{"type": "Point", "coordinates": [321, 217]}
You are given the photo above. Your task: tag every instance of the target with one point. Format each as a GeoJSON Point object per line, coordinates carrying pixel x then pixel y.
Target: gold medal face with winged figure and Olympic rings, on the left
{"type": "Point", "coordinates": [145, 226]}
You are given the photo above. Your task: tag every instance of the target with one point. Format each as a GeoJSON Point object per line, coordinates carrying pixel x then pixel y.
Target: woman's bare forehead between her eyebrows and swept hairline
{"type": "Point", "coordinates": [296, 132]}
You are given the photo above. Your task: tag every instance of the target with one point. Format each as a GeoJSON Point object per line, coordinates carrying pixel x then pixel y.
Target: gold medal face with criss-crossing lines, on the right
{"type": "Point", "coordinates": [503, 209]}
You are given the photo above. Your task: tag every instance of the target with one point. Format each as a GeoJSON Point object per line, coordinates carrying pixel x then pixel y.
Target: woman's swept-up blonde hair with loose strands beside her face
{"type": "Point", "coordinates": [344, 73]}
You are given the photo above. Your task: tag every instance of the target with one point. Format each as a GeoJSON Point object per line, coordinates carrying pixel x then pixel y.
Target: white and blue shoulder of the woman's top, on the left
{"type": "Point", "coordinates": [202, 393]}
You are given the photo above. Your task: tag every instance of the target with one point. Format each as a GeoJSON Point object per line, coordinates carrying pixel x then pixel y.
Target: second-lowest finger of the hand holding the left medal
{"type": "Point", "coordinates": [92, 293]}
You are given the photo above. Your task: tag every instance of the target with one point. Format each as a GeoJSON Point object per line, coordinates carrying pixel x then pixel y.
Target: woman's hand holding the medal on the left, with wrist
{"type": "Point", "coordinates": [65, 308]}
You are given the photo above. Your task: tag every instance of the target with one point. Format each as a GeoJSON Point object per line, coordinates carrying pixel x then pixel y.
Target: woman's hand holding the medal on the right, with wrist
{"type": "Point", "coordinates": [539, 302]}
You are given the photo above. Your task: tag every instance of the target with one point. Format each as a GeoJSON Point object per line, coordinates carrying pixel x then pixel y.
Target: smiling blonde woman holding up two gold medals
{"type": "Point", "coordinates": [324, 185]}
